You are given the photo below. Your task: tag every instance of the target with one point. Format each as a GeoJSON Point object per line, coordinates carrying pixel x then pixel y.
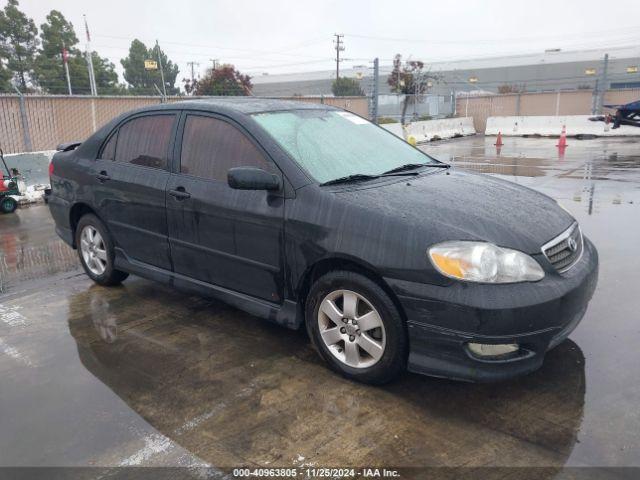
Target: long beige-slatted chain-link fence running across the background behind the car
{"type": "Point", "coordinates": [41, 122]}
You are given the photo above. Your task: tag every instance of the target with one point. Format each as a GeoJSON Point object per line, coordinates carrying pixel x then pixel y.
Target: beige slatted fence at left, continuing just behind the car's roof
{"type": "Point", "coordinates": [56, 119]}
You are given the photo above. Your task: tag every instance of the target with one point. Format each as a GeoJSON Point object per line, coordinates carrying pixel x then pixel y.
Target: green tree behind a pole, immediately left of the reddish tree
{"type": "Point", "coordinates": [142, 81]}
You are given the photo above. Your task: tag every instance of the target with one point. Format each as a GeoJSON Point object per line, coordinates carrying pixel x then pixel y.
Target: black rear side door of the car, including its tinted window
{"type": "Point", "coordinates": [131, 177]}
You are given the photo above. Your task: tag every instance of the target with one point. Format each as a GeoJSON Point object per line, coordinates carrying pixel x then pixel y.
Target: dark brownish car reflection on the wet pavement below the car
{"type": "Point", "coordinates": [260, 394]}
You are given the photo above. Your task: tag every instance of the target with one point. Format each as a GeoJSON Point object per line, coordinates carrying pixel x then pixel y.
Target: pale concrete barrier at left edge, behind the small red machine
{"type": "Point", "coordinates": [34, 170]}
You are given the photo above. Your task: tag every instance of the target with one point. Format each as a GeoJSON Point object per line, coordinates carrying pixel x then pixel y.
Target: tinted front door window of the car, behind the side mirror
{"type": "Point", "coordinates": [210, 147]}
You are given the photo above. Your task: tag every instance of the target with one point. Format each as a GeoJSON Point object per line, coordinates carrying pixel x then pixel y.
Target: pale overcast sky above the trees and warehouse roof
{"type": "Point", "coordinates": [279, 36]}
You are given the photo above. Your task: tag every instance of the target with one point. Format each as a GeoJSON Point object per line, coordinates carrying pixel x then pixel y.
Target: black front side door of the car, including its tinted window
{"type": "Point", "coordinates": [225, 237]}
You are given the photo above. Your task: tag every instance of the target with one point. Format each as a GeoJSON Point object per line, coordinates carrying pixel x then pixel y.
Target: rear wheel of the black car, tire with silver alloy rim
{"type": "Point", "coordinates": [95, 249]}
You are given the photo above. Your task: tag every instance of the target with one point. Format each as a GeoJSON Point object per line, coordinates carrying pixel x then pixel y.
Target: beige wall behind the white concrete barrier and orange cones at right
{"type": "Point", "coordinates": [575, 102]}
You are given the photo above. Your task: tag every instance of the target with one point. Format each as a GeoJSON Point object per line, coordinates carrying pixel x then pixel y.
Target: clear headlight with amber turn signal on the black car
{"type": "Point", "coordinates": [484, 262]}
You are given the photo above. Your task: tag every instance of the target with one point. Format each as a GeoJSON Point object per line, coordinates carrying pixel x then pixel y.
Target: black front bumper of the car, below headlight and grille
{"type": "Point", "coordinates": [536, 316]}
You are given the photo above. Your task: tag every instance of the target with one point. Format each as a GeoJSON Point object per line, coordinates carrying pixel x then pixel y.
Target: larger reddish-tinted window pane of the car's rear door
{"type": "Point", "coordinates": [145, 141]}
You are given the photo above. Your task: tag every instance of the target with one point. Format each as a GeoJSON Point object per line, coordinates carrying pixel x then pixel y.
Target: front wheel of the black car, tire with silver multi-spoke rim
{"type": "Point", "coordinates": [356, 327]}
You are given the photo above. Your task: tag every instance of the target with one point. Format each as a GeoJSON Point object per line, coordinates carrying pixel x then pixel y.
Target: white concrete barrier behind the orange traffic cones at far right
{"type": "Point", "coordinates": [551, 126]}
